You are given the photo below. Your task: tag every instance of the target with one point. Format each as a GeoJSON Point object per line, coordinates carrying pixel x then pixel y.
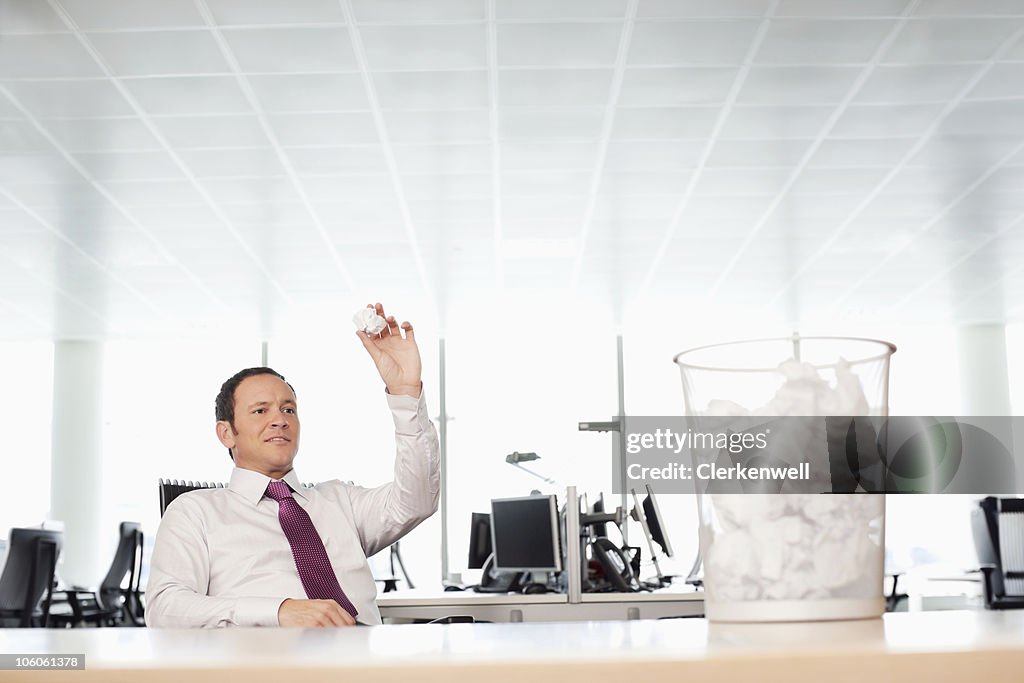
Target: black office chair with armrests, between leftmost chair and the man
{"type": "Point", "coordinates": [112, 605]}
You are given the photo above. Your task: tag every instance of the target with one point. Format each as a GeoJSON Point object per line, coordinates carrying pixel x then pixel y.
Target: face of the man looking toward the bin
{"type": "Point", "coordinates": [266, 437]}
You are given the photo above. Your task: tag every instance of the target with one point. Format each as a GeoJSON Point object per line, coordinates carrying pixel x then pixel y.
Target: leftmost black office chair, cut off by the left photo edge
{"type": "Point", "coordinates": [27, 583]}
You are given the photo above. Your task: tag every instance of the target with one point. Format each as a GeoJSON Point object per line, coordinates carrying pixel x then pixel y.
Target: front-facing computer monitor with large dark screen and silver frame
{"type": "Point", "coordinates": [525, 534]}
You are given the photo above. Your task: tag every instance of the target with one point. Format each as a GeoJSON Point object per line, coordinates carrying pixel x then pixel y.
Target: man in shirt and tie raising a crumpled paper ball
{"type": "Point", "coordinates": [266, 551]}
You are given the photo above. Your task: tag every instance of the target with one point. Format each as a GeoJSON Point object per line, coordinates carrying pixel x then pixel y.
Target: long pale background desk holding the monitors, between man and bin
{"type": "Point", "coordinates": [545, 608]}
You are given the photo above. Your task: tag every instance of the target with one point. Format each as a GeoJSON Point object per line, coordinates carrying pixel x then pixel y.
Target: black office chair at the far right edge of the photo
{"type": "Point", "coordinates": [998, 525]}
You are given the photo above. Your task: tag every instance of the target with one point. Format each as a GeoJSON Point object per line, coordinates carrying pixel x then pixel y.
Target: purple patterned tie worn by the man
{"type": "Point", "coordinates": [308, 549]}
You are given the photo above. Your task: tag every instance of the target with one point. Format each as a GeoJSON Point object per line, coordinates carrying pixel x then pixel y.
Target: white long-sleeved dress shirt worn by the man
{"type": "Point", "coordinates": [223, 560]}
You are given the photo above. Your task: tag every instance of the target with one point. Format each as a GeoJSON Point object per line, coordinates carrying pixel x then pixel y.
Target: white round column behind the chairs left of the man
{"type": "Point", "coordinates": [77, 460]}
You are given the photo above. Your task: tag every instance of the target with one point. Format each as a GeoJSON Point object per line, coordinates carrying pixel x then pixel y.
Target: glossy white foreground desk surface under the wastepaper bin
{"type": "Point", "coordinates": [919, 647]}
